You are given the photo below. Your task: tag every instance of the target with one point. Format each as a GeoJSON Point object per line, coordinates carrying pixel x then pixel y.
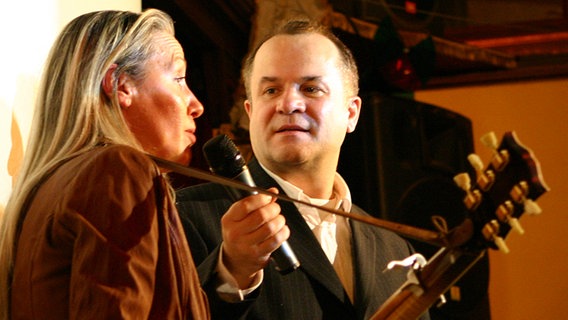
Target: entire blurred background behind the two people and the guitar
{"type": "Point", "coordinates": [435, 76]}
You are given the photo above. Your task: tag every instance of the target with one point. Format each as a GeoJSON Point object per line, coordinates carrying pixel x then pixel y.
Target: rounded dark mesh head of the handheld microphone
{"type": "Point", "coordinates": [223, 156]}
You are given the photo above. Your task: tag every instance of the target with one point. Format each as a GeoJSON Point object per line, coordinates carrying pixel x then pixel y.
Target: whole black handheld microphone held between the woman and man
{"type": "Point", "coordinates": [225, 159]}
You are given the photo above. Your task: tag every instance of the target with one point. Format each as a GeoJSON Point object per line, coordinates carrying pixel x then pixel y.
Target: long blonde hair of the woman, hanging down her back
{"type": "Point", "coordinates": [72, 113]}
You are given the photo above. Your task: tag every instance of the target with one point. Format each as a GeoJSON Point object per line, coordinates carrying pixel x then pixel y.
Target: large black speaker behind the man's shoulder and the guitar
{"type": "Point", "coordinates": [399, 164]}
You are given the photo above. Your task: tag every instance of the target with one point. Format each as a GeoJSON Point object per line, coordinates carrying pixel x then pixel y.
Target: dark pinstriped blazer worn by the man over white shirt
{"type": "Point", "coordinates": [313, 291]}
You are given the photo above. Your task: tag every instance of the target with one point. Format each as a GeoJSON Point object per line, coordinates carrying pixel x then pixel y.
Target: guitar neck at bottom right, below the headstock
{"type": "Point", "coordinates": [424, 289]}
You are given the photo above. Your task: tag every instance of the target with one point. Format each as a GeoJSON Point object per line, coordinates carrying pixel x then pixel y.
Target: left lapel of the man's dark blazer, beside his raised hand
{"type": "Point", "coordinates": [313, 260]}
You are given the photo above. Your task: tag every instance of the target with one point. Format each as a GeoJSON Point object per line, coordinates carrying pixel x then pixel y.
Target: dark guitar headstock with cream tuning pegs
{"type": "Point", "coordinates": [502, 192]}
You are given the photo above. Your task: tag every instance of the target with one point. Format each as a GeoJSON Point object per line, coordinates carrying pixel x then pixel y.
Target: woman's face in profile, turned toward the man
{"type": "Point", "coordinates": [162, 109]}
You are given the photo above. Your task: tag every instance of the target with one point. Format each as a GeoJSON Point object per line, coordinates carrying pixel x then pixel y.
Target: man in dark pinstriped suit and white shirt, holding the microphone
{"type": "Point", "coordinates": [301, 86]}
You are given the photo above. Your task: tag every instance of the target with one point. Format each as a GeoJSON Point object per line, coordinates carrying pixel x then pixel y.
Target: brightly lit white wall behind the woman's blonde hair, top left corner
{"type": "Point", "coordinates": [27, 30]}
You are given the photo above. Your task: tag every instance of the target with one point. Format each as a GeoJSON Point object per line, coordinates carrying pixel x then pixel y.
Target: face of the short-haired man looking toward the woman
{"type": "Point", "coordinates": [299, 112]}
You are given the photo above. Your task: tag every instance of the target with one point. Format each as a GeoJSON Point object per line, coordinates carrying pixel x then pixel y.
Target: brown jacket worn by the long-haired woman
{"type": "Point", "coordinates": [102, 240]}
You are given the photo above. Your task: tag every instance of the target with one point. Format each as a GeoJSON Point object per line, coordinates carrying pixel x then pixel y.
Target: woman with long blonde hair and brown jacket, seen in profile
{"type": "Point", "coordinates": [91, 230]}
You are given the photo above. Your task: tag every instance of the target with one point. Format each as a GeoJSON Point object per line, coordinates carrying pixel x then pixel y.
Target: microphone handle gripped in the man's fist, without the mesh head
{"type": "Point", "coordinates": [284, 258]}
